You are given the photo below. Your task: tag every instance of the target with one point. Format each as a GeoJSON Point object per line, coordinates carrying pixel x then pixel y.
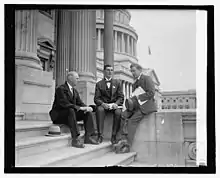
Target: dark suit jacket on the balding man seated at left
{"type": "Point", "coordinates": [64, 99]}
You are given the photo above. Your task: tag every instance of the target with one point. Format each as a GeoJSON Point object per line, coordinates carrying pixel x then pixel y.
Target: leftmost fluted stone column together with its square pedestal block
{"type": "Point", "coordinates": [33, 85]}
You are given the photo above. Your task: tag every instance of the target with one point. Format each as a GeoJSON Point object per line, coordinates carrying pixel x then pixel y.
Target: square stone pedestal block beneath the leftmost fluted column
{"type": "Point", "coordinates": [34, 90]}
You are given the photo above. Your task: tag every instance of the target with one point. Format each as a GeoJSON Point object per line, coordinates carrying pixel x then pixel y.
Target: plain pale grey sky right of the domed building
{"type": "Point", "coordinates": [171, 36]}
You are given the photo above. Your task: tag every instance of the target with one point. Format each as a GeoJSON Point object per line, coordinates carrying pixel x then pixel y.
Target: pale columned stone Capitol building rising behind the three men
{"type": "Point", "coordinates": [50, 43]}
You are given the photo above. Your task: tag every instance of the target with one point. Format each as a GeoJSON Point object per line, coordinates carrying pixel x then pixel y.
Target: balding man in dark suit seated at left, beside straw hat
{"type": "Point", "coordinates": [68, 108]}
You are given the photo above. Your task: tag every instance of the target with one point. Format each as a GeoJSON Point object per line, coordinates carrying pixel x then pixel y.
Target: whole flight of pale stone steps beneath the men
{"type": "Point", "coordinates": [34, 149]}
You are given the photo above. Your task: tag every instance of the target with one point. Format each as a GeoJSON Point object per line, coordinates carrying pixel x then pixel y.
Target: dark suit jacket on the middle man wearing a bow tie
{"type": "Point", "coordinates": [102, 96]}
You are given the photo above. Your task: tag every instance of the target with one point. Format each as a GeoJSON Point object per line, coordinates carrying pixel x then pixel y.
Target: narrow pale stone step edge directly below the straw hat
{"type": "Point", "coordinates": [32, 141]}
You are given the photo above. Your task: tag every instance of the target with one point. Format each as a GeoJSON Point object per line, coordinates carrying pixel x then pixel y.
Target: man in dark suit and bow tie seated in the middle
{"type": "Point", "coordinates": [108, 97]}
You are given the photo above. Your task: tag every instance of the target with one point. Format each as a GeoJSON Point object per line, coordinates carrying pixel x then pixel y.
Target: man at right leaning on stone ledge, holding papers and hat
{"type": "Point", "coordinates": [145, 105]}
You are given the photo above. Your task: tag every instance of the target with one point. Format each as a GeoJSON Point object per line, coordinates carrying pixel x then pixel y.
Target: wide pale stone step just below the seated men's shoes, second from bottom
{"type": "Point", "coordinates": [65, 156]}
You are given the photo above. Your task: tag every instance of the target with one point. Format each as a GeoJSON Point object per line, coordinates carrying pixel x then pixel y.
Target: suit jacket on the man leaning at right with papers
{"type": "Point", "coordinates": [148, 85]}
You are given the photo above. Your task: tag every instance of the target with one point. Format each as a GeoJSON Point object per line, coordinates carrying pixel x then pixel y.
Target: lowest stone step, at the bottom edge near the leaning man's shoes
{"type": "Point", "coordinates": [111, 159]}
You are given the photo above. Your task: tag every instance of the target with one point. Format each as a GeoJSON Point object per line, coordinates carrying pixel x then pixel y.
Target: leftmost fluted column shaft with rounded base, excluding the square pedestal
{"type": "Point", "coordinates": [26, 39]}
